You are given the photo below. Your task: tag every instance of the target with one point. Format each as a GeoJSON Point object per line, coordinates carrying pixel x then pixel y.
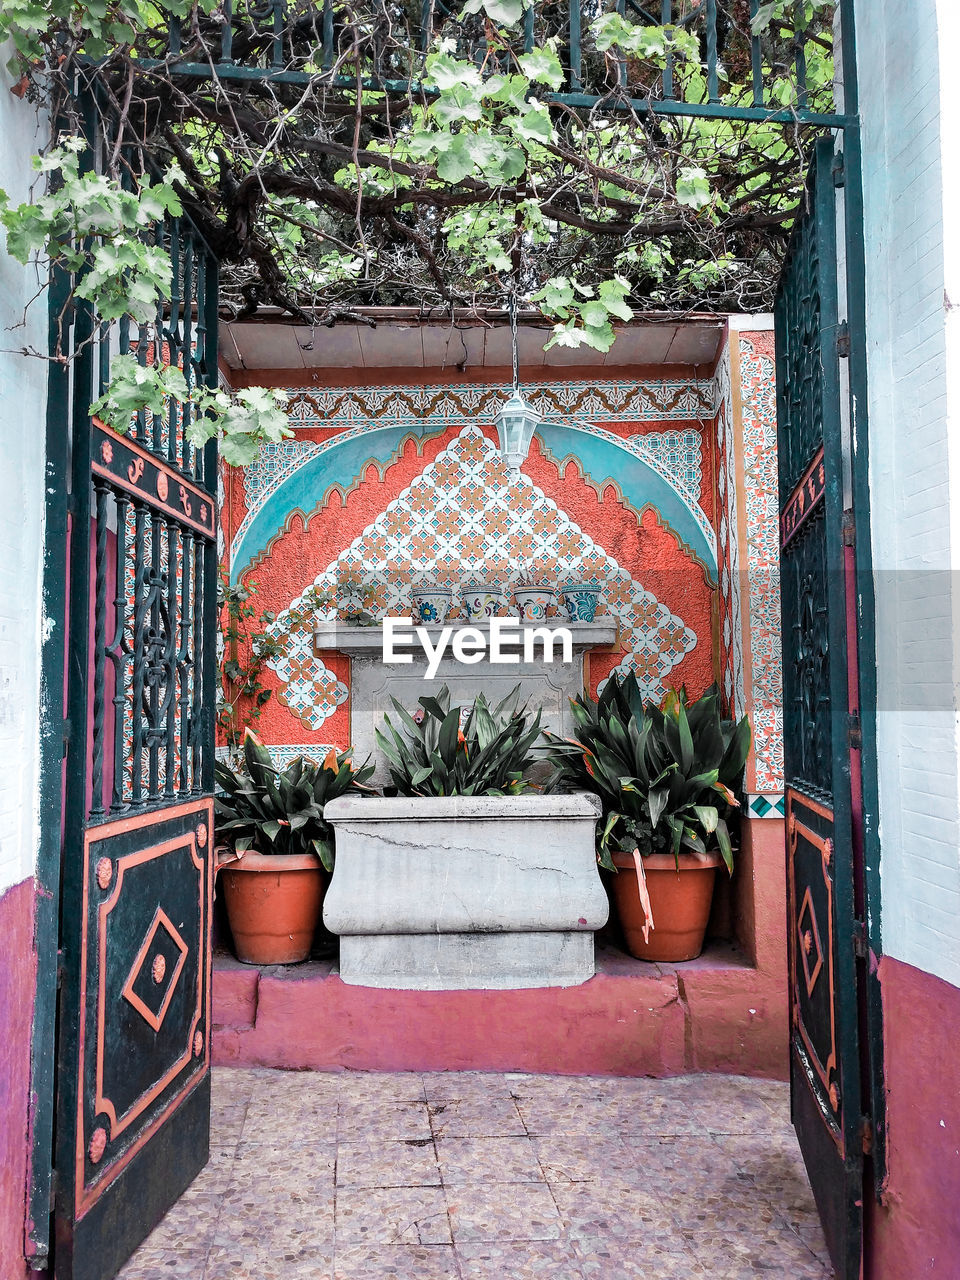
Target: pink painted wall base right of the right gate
{"type": "Point", "coordinates": [916, 1232]}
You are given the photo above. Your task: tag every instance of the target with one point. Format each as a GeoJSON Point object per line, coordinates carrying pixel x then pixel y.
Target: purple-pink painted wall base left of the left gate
{"type": "Point", "coordinates": [17, 981]}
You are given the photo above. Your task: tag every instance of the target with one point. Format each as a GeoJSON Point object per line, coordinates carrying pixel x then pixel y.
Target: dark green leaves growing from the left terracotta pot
{"type": "Point", "coordinates": [282, 811]}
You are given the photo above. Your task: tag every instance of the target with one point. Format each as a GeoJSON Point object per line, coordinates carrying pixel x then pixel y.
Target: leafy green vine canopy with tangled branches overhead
{"type": "Point", "coordinates": [386, 171]}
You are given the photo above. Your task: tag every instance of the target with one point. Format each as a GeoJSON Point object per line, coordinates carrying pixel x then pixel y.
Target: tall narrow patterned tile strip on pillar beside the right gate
{"type": "Point", "coordinates": [761, 495]}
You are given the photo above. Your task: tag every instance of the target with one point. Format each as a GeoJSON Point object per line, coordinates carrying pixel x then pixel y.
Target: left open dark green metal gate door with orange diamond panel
{"type": "Point", "coordinates": [134, 1054]}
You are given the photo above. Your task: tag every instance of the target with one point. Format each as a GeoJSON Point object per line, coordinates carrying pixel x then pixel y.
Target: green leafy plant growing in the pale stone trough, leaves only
{"type": "Point", "coordinates": [460, 752]}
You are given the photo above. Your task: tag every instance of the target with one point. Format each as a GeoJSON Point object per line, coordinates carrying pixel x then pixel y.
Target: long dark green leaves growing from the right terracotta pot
{"type": "Point", "coordinates": [666, 775]}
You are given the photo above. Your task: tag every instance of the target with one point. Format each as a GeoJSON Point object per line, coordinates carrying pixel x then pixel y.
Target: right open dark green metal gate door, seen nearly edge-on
{"type": "Point", "coordinates": [822, 926]}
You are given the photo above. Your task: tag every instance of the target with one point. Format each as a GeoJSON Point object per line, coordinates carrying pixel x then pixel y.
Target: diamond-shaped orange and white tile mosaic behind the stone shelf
{"type": "Point", "coordinates": [468, 516]}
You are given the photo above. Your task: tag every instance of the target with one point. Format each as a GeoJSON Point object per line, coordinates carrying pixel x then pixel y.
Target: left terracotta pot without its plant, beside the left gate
{"type": "Point", "coordinates": [273, 904]}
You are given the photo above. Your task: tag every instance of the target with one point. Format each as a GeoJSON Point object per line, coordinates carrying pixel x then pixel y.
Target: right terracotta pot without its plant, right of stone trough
{"type": "Point", "coordinates": [680, 902]}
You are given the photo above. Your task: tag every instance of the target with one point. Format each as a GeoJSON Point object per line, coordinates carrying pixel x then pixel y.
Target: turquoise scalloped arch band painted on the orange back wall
{"type": "Point", "coordinates": [342, 461]}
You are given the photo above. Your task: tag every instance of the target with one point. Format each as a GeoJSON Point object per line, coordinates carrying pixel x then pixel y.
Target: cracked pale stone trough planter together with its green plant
{"type": "Point", "coordinates": [465, 876]}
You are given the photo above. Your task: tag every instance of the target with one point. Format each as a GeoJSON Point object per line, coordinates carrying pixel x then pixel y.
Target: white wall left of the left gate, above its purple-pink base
{"type": "Point", "coordinates": [22, 424]}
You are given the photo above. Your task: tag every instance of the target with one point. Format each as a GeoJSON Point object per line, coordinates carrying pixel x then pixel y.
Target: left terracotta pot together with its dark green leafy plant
{"type": "Point", "coordinates": [281, 849]}
